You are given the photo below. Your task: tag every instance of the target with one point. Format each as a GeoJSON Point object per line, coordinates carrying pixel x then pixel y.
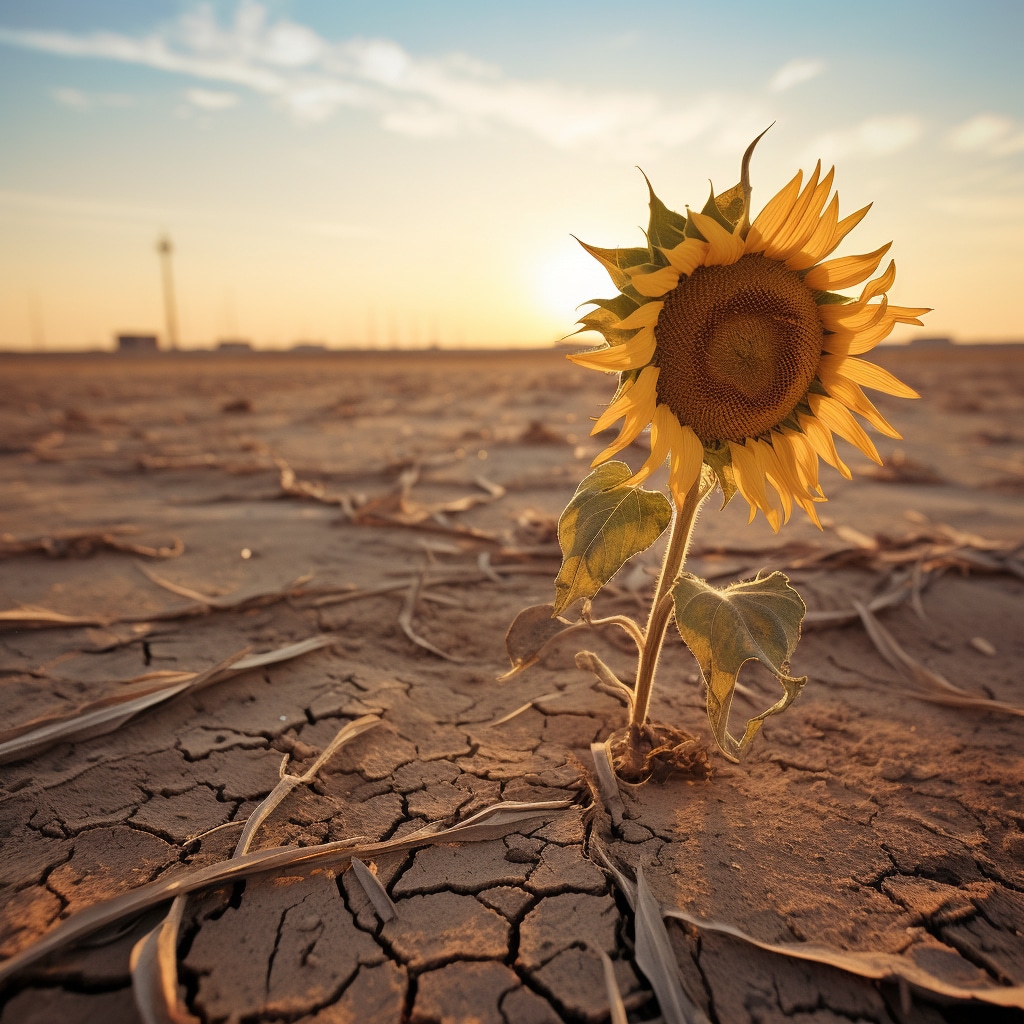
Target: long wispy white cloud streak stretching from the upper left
{"type": "Point", "coordinates": [313, 78]}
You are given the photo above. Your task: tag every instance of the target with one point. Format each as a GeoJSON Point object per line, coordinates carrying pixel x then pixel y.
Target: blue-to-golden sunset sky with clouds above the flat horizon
{"type": "Point", "coordinates": [404, 175]}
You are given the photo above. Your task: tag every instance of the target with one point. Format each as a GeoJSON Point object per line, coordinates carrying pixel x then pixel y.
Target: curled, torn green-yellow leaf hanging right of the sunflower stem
{"type": "Point", "coordinates": [724, 629]}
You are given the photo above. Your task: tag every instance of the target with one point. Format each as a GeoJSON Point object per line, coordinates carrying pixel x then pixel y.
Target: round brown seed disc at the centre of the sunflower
{"type": "Point", "coordinates": [738, 347]}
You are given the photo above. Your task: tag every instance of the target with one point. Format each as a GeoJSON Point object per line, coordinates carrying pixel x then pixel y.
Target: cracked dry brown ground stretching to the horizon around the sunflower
{"type": "Point", "coordinates": [166, 516]}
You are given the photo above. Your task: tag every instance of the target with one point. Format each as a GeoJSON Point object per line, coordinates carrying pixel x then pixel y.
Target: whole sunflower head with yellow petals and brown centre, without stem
{"type": "Point", "coordinates": [735, 347]}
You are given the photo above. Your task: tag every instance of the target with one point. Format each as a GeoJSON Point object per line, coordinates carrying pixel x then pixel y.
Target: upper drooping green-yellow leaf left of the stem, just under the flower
{"type": "Point", "coordinates": [606, 524]}
